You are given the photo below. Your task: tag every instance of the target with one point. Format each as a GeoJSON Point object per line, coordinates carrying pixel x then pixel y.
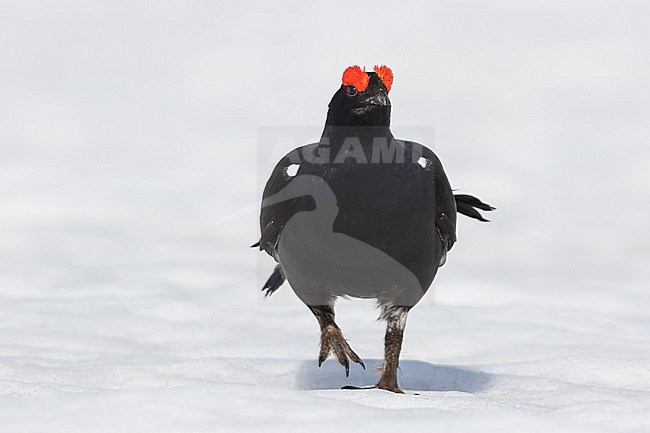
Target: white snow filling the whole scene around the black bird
{"type": "Point", "coordinates": [130, 173]}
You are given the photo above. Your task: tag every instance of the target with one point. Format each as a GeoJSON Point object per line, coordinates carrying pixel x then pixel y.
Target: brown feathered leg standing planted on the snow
{"type": "Point", "coordinates": [395, 323]}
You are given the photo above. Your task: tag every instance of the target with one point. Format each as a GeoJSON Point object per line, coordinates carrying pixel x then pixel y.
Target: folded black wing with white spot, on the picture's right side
{"type": "Point", "coordinates": [445, 219]}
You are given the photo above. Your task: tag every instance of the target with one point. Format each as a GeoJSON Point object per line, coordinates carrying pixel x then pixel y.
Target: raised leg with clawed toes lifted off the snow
{"type": "Point", "coordinates": [331, 339]}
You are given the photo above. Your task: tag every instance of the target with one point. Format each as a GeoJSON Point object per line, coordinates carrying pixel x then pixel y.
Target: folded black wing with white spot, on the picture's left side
{"type": "Point", "coordinates": [274, 217]}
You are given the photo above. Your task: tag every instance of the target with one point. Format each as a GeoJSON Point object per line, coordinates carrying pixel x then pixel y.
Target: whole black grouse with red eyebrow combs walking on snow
{"type": "Point", "coordinates": [360, 214]}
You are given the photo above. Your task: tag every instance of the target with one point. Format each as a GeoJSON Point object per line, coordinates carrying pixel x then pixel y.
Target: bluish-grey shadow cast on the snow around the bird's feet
{"type": "Point", "coordinates": [413, 375]}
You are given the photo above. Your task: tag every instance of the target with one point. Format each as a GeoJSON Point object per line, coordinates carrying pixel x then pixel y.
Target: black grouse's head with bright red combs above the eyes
{"type": "Point", "coordinates": [362, 99]}
